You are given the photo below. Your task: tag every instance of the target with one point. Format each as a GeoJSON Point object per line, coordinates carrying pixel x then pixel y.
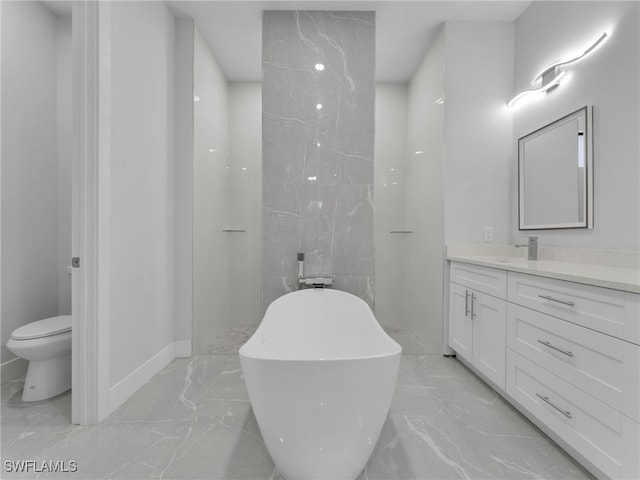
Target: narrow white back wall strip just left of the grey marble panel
{"type": "Point", "coordinates": [245, 203]}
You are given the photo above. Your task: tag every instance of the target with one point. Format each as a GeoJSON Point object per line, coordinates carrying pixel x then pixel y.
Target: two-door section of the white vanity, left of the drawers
{"type": "Point", "coordinates": [477, 329]}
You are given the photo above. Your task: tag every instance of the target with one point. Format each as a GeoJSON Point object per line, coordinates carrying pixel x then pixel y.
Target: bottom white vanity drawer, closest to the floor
{"type": "Point", "coordinates": [603, 436]}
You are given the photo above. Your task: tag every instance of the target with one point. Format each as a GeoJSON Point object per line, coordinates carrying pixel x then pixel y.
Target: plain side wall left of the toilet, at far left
{"type": "Point", "coordinates": [29, 167]}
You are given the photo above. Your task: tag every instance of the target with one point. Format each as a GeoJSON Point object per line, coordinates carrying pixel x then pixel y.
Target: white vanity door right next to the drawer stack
{"type": "Point", "coordinates": [489, 318]}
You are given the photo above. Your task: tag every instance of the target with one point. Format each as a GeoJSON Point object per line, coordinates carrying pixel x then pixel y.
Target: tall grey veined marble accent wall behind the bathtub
{"type": "Point", "coordinates": [318, 140]}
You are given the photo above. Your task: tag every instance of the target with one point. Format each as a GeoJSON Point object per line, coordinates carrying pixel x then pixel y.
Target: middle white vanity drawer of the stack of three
{"type": "Point", "coordinates": [603, 366]}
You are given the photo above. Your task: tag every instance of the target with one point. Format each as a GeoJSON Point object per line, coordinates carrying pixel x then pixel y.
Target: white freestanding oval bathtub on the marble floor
{"type": "Point", "coordinates": [320, 372]}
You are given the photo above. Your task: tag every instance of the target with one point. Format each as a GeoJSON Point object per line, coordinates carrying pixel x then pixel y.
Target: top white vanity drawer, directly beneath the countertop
{"type": "Point", "coordinates": [605, 310]}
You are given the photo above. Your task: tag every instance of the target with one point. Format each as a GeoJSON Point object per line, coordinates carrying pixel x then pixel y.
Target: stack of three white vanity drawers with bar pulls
{"type": "Point", "coordinates": [573, 364]}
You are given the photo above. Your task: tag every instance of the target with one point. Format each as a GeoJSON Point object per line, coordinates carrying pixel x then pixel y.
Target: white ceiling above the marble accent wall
{"type": "Point", "coordinates": [404, 29]}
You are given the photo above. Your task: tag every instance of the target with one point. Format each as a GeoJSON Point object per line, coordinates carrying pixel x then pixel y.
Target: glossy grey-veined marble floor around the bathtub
{"type": "Point", "coordinates": [194, 421]}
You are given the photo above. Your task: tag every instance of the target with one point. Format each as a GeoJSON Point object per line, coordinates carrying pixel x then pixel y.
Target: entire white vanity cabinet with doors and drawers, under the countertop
{"type": "Point", "coordinates": [568, 357]}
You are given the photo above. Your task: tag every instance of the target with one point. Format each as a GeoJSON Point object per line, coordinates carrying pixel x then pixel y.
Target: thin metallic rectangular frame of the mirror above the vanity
{"type": "Point", "coordinates": [587, 201]}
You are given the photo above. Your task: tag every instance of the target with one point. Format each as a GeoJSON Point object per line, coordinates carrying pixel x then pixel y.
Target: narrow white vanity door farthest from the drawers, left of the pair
{"type": "Point", "coordinates": [460, 326]}
